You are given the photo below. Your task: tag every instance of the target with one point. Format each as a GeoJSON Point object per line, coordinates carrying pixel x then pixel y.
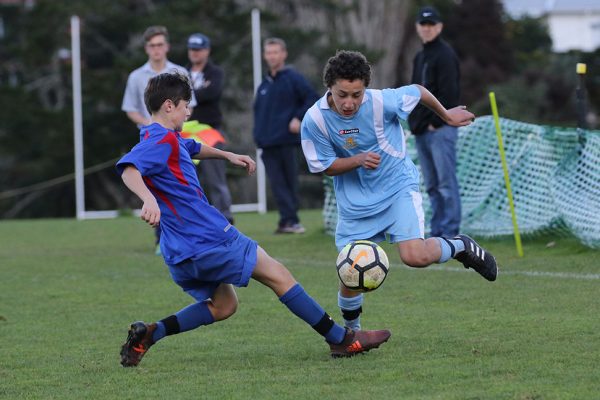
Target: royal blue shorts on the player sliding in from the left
{"type": "Point", "coordinates": [230, 262]}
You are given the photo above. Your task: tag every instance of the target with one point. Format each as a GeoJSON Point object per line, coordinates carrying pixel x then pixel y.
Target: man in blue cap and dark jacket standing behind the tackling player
{"type": "Point", "coordinates": [207, 81]}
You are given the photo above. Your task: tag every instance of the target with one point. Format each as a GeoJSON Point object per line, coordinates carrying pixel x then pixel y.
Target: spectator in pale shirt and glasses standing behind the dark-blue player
{"type": "Point", "coordinates": [156, 45]}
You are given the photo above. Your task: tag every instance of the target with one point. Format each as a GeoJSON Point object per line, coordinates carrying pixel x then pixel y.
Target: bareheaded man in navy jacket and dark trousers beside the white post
{"type": "Point", "coordinates": [279, 106]}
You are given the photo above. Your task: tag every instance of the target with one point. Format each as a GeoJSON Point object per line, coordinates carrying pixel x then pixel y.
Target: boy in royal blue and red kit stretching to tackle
{"type": "Point", "coordinates": [205, 254]}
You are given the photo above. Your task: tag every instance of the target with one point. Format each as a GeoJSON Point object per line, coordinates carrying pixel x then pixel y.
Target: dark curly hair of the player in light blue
{"type": "Point", "coordinates": [350, 65]}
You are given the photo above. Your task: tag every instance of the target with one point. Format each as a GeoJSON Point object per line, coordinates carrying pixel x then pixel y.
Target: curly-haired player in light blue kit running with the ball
{"type": "Point", "coordinates": [354, 134]}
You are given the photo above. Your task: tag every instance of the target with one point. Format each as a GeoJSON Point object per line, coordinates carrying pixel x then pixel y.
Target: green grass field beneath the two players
{"type": "Point", "coordinates": [69, 289]}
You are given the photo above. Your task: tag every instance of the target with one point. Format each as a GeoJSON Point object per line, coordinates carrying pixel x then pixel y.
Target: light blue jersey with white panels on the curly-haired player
{"type": "Point", "coordinates": [326, 136]}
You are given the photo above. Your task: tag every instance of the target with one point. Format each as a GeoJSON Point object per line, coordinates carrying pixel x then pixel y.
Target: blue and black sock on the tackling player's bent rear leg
{"type": "Point", "coordinates": [184, 320]}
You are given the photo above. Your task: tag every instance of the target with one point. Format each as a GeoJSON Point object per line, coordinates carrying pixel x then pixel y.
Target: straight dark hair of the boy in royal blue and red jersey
{"type": "Point", "coordinates": [174, 86]}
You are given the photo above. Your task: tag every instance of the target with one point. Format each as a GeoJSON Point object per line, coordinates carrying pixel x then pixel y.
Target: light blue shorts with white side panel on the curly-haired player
{"type": "Point", "coordinates": [403, 220]}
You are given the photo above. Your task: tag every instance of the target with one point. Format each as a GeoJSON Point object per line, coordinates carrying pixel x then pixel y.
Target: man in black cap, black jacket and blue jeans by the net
{"type": "Point", "coordinates": [436, 67]}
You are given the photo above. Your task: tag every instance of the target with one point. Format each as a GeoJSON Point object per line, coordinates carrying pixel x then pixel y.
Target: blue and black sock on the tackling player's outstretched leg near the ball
{"type": "Point", "coordinates": [301, 304]}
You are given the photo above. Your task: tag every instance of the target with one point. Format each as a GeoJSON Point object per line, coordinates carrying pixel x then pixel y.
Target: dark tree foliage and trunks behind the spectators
{"type": "Point", "coordinates": [512, 57]}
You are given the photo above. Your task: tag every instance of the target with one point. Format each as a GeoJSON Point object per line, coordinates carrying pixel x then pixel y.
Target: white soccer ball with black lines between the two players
{"type": "Point", "coordinates": [362, 266]}
